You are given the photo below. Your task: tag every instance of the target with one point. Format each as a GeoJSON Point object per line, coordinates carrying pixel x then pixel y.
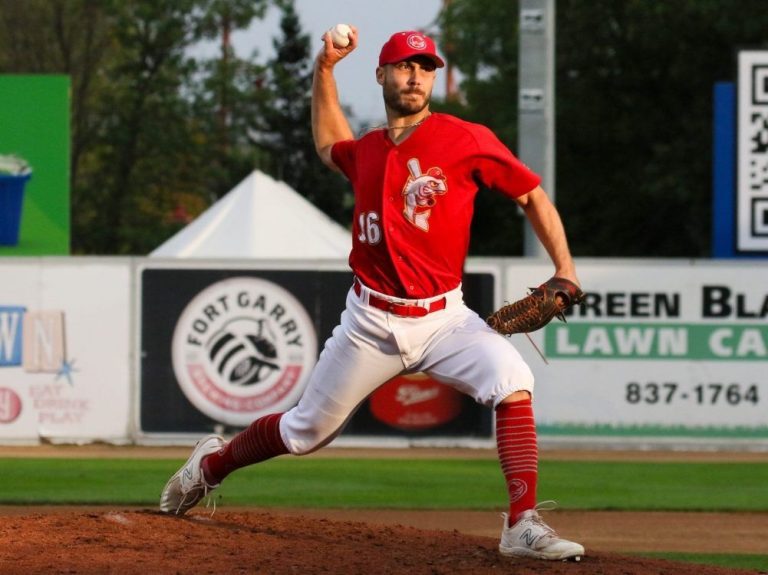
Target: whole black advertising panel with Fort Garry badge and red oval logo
{"type": "Point", "coordinates": [222, 347]}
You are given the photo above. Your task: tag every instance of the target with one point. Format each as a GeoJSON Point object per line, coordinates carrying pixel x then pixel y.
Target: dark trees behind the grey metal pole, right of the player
{"type": "Point", "coordinates": [634, 82]}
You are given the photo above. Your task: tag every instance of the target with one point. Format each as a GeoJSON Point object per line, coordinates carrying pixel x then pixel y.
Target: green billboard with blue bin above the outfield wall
{"type": "Point", "coordinates": [34, 165]}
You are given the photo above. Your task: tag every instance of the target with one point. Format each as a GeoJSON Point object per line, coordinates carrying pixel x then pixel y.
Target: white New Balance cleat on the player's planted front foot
{"type": "Point", "coordinates": [531, 537]}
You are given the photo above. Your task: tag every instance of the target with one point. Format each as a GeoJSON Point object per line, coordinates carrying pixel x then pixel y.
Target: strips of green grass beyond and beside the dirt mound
{"type": "Point", "coordinates": [408, 484]}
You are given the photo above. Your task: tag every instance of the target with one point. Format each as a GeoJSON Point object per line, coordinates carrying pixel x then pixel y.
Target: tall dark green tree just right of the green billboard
{"type": "Point", "coordinates": [139, 156]}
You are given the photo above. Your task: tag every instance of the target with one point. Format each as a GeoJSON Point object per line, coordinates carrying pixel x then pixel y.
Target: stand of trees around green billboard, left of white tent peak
{"type": "Point", "coordinates": [144, 150]}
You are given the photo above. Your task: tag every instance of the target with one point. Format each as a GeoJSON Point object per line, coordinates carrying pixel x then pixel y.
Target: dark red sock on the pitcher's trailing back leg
{"type": "Point", "coordinates": [259, 442]}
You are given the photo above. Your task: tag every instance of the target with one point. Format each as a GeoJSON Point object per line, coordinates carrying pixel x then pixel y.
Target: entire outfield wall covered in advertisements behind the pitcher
{"type": "Point", "coordinates": [664, 353]}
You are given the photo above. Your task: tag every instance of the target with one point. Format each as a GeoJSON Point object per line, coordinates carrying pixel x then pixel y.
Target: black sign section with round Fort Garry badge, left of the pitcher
{"type": "Point", "coordinates": [222, 347]}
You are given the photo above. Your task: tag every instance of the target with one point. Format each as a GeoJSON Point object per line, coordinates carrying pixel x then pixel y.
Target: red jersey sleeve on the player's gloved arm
{"type": "Point", "coordinates": [499, 169]}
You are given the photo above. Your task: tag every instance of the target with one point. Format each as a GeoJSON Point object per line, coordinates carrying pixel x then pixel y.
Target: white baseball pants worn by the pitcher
{"type": "Point", "coordinates": [370, 346]}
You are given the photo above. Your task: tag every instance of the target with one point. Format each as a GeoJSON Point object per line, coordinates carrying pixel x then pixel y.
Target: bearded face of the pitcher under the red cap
{"type": "Point", "coordinates": [407, 85]}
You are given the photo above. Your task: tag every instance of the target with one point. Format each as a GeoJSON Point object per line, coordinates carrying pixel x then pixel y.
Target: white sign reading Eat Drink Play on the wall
{"type": "Point", "coordinates": [65, 351]}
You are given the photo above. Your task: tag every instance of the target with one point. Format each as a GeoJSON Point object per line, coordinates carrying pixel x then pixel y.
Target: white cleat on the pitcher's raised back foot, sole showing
{"type": "Point", "coordinates": [187, 486]}
